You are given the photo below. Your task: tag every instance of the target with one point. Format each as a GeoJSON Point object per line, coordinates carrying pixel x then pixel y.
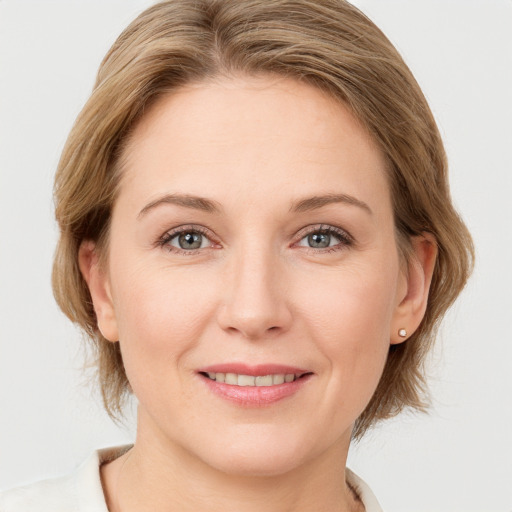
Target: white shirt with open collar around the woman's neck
{"type": "Point", "coordinates": [81, 491]}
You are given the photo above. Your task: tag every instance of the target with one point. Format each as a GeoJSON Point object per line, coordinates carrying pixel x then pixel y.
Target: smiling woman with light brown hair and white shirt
{"type": "Point", "coordinates": [257, 234]}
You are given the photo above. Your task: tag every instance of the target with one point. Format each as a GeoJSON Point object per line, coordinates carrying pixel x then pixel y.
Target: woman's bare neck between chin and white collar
{"type": "Point", "coordinates": [159, 477]}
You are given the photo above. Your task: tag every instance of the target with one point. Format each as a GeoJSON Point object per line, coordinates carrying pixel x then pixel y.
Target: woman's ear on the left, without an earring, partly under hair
{"type": "Point", "coordinates": [99, 287]}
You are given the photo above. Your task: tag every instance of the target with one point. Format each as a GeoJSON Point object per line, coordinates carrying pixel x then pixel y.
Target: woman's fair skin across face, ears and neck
{"type": "Point", "coordinates": [262, 275]}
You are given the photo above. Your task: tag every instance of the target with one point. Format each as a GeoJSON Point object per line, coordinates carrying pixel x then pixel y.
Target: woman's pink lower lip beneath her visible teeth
{"type": "Point", "coordinates": [255, 396]}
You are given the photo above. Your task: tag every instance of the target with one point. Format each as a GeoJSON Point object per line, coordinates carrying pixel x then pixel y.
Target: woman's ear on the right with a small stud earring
{"type": "Point", "coordinates": [414, 289]}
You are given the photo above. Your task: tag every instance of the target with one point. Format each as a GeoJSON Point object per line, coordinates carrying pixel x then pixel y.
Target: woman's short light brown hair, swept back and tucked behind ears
{"type": "Point", "coordinates": [327, 43]}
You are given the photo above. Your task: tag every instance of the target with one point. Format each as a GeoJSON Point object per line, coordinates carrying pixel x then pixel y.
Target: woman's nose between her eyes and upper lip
{"type": "Point", "coordinates": [255, 301]}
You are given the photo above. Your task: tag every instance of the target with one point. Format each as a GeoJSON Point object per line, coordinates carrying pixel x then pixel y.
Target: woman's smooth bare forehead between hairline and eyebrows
{"type": "Point", "coordinates": [253, 139]}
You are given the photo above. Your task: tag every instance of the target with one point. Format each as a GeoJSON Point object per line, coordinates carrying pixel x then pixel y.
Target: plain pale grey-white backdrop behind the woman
{"type": "Point", "coordinates": [457, 458]}
